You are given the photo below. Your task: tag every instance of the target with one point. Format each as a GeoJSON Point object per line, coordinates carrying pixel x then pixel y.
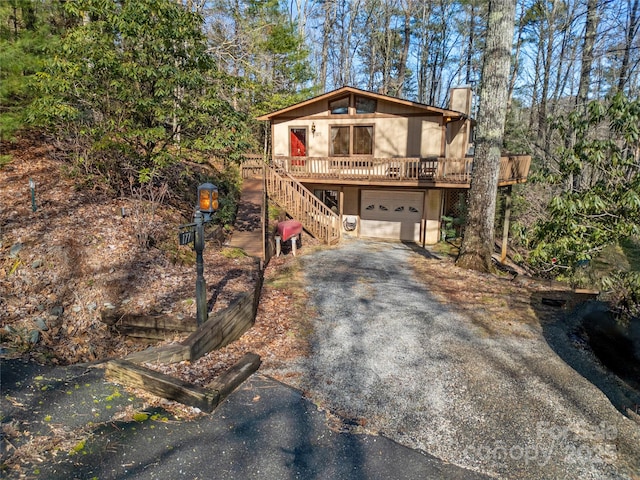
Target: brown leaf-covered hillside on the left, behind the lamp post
{"type": "Point", "coordinates": [77, 256]}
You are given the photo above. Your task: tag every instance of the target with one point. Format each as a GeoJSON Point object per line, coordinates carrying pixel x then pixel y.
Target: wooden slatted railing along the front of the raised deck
{"type": "Point", "coordinates": [513, 169]}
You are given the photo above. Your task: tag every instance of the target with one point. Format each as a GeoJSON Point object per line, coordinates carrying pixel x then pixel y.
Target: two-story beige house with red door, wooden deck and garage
{"type": "Point", "coordinates": [376, 166]}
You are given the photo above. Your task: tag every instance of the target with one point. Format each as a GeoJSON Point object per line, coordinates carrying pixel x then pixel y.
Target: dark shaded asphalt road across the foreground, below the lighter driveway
{"type": "Point", "coordinates": [263, 430]}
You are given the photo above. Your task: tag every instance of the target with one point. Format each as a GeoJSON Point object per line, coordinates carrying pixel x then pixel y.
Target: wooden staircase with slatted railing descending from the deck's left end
{"type": "Point", "coordinates": [302, 205]}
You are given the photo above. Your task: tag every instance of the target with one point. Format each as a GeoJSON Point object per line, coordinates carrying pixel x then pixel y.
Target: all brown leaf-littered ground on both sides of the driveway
{"type": "Point", "coordinates": [77, 255]}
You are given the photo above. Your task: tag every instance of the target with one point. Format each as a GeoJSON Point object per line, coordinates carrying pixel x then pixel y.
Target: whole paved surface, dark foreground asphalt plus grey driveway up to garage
{"type": "Point", "coordinates": [397, 386]}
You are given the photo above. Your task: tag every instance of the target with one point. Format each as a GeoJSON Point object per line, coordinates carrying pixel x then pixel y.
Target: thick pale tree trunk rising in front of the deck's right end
{"type": "Point", "coordinates": [478, 243]}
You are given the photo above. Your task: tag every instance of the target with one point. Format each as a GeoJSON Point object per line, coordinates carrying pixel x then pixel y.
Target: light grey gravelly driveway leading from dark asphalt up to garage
{"type": "Point", "coordinates": [389, 358]}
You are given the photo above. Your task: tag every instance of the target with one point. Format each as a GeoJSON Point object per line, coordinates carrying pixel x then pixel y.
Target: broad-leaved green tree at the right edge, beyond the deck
{"type": "Point", "coordinates": [579, 224]}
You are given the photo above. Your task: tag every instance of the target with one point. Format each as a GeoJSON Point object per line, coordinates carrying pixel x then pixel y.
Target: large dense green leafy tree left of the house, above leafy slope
{"type": "Point", "coordinates": [132, 85]}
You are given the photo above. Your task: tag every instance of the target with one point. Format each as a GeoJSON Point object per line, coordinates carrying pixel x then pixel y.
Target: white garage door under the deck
{"type": "Point", "coordinates": [391, 214]}
